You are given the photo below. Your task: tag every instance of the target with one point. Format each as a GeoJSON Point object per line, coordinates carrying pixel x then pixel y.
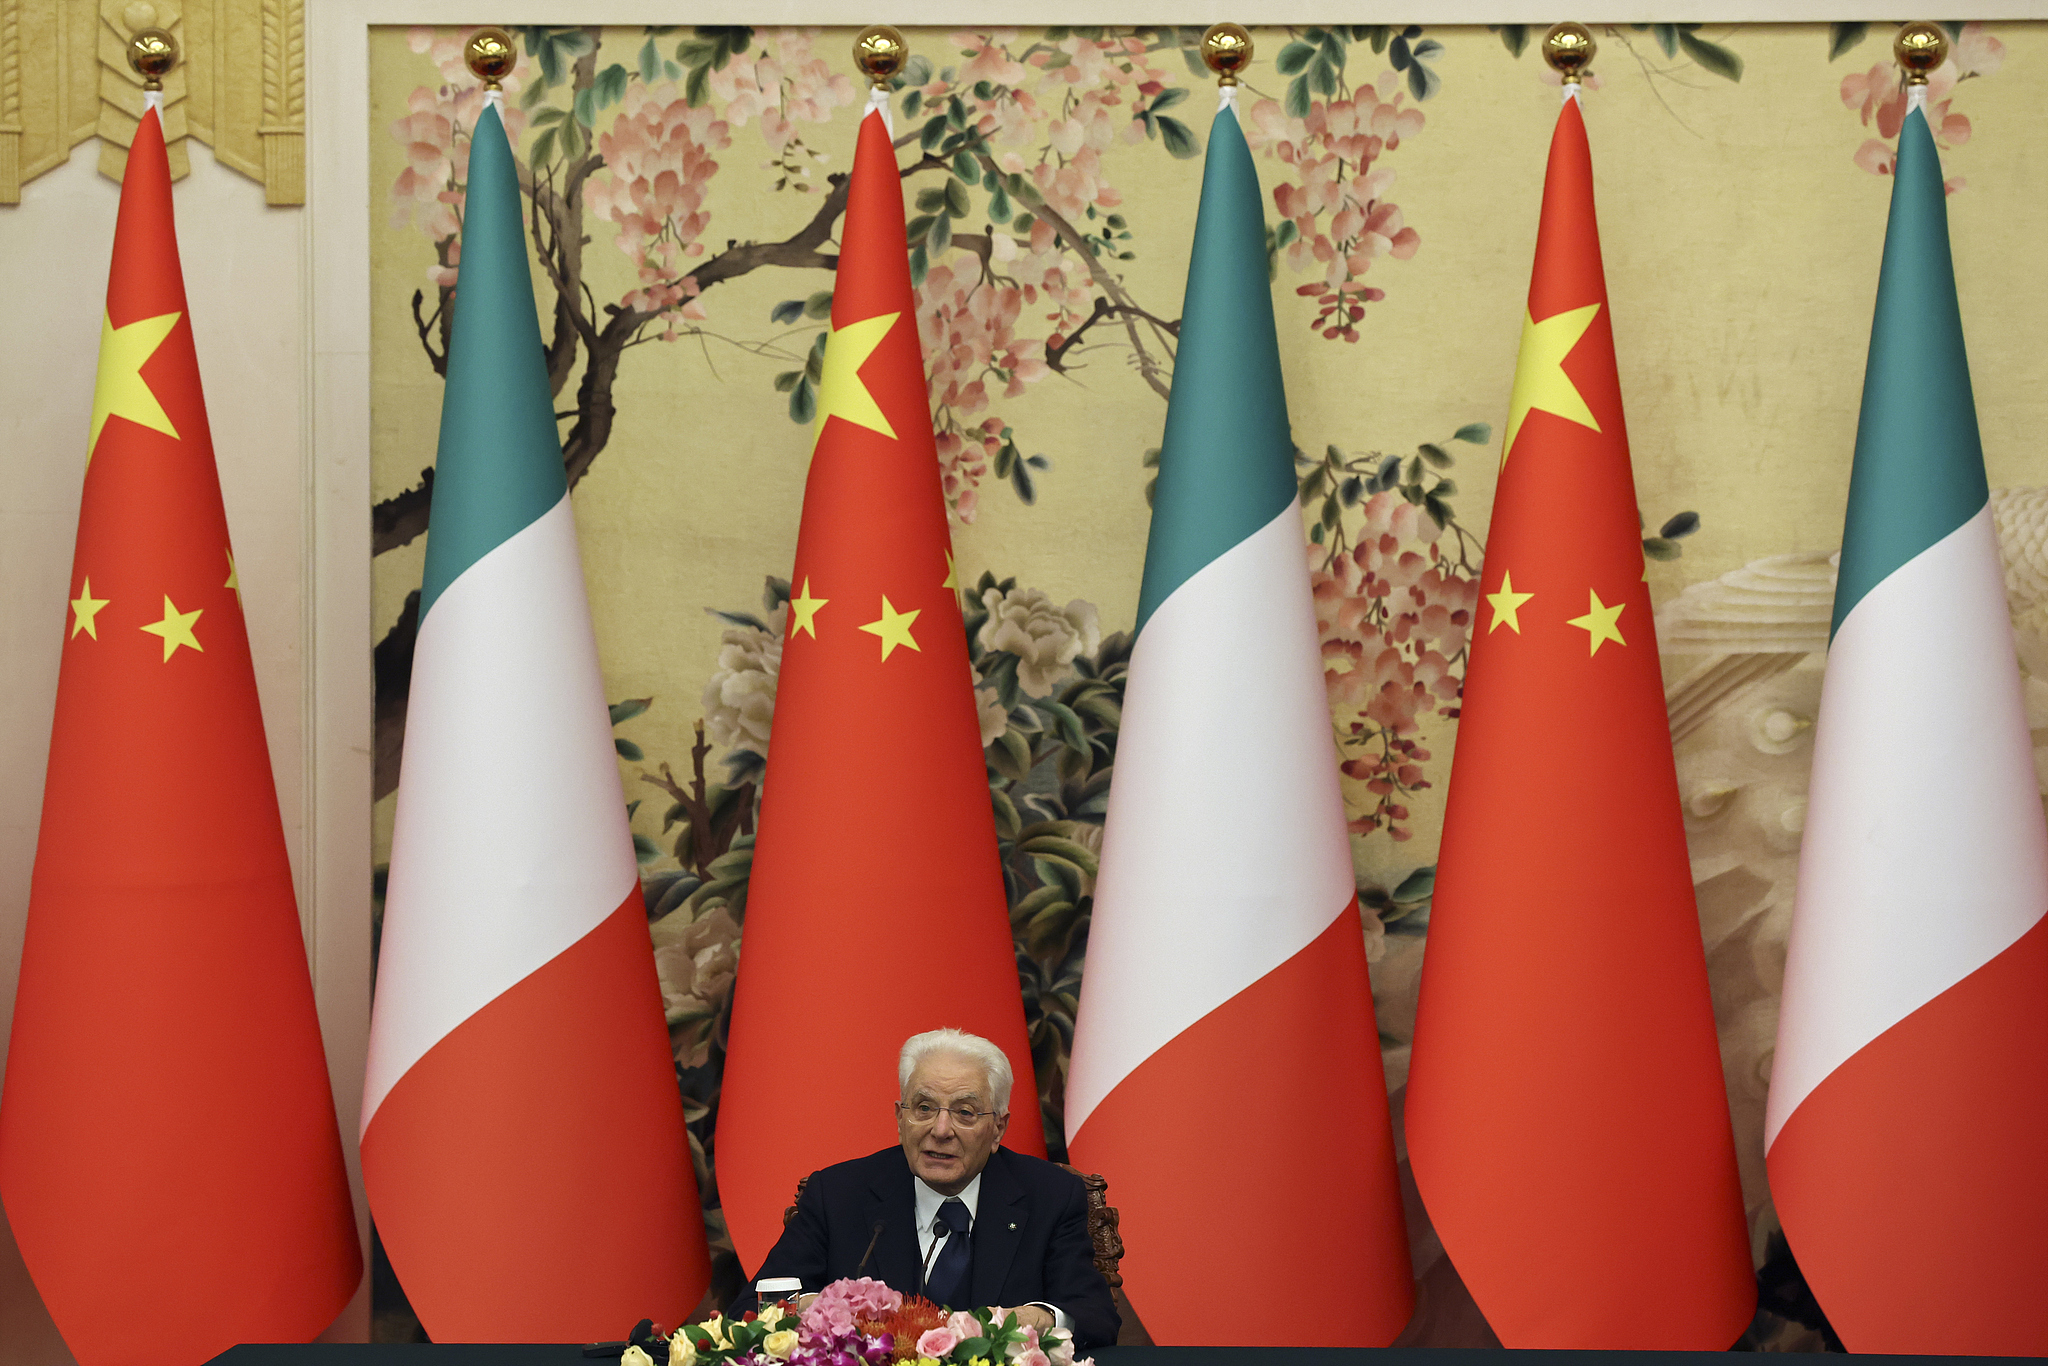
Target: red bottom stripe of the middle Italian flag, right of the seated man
{"type": "Point", "coordinates": [1256, 1144]}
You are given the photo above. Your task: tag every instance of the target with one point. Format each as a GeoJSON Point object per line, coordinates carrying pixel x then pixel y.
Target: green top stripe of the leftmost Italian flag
{"type": "Point", "coordinates": [501, 458]}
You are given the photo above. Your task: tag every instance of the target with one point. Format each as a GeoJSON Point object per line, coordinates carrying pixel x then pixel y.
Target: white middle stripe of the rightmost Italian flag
{"type": "Point", "coordinates": [1924, 855]}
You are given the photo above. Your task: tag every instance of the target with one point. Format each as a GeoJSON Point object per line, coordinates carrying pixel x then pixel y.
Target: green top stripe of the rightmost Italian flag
{"type": "Point", "coordinates": [1920, 468]}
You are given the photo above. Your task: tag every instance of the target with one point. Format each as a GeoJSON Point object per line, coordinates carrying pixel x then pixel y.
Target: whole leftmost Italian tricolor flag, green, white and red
{"type": "Point", "coordinates": [523, 1140]}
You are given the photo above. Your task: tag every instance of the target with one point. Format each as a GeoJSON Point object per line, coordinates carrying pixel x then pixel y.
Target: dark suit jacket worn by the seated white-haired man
{"type": "Point", "coordinates": [1031, 1238]}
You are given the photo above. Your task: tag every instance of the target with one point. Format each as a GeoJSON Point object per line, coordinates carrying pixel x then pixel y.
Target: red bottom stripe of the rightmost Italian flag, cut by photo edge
{"type": "Point", "coordinates": [1914, 1181]}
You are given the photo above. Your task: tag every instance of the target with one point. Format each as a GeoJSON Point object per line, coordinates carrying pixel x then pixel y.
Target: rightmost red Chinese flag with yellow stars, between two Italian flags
{"type": "Point", "coordinates": [1566, 1111]}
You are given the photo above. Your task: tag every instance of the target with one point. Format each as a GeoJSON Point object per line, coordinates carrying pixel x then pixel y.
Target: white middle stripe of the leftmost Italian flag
{"type": "Point", "coordinates": [511, 837]}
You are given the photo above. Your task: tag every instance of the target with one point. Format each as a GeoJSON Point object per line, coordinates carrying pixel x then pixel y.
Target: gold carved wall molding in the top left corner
{"type": "Point", "coordinates": [239, 87]}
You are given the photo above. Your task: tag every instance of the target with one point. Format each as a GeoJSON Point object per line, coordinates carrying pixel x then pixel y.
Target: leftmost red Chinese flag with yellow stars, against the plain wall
{"type": "Point", "coordinates": [169, 1154]}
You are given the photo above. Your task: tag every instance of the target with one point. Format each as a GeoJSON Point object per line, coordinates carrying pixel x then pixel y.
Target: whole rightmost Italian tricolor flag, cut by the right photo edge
{"type": "Point", "coordinates": [1908, 1123]}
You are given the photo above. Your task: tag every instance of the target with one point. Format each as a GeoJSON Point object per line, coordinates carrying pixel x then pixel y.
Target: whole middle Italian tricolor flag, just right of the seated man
{"type": "Point", "coordinates": [1226, 1025]}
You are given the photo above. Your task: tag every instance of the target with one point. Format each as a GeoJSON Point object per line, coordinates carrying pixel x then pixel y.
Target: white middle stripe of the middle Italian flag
{"type": "Point", "coordinates": [1226, 851]}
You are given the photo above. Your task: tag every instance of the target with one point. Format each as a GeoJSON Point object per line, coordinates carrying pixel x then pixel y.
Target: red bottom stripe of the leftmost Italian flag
{"type": "Point", "coordinates": [519, 1170]}
